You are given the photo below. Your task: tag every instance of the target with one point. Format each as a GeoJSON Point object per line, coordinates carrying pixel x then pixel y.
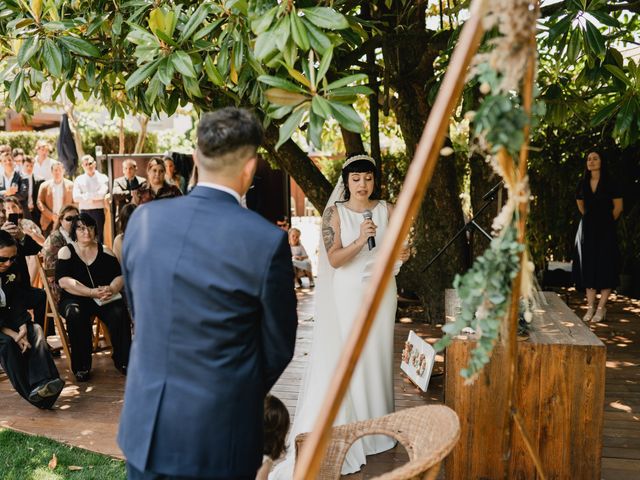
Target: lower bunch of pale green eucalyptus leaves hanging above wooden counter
{"type": "Point", "coordinates": [484, 291]}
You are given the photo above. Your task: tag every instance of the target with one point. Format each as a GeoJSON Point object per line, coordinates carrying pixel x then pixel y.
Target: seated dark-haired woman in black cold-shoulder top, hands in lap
{"type": "Point", "coordinates": [90, 278]}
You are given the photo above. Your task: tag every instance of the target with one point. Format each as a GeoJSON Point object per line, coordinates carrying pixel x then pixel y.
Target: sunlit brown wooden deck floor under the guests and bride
{"type": "Point", "coordinates": [87, 414]}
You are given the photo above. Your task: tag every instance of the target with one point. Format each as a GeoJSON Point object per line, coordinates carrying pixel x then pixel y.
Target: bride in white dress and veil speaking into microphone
{"type": "Point", "coordinates": [344, 270]}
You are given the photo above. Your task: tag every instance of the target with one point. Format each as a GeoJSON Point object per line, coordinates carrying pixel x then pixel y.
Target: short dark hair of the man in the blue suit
{"type": "Point", "coordinates": [227, 138]}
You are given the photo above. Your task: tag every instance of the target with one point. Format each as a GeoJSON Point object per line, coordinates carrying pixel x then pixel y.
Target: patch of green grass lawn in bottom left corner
{"type": "Point", "coordinates": [27, 457]}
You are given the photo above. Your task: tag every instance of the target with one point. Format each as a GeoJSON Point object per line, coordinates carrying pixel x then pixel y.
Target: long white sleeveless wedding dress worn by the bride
{"type": "Point", "coordinates": [339, 295]}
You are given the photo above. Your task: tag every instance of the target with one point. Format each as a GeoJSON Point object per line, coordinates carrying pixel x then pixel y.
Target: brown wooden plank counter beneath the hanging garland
{"type": "Point", "coordinates": [559, 394]}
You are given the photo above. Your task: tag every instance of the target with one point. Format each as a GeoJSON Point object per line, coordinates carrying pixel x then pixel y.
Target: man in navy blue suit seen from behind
{"type": "Point", "coordinates": [210, 286]}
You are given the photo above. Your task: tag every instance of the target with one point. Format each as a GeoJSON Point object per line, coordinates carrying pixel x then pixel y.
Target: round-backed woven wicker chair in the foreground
{"type": "Point", "coordinates": [428, 433]}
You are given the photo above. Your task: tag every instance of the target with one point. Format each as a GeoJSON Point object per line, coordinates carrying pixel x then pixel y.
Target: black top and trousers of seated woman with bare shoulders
{"type": "Point", "coordinates": [79, 311]}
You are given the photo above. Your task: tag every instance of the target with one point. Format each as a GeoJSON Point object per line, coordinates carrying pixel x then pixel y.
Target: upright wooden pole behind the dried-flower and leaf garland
{"type": "Point", "coordinates": [511, 357]}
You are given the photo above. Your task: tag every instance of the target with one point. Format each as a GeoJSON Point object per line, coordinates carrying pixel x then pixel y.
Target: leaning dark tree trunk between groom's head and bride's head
{"type": "Point", "coordinates": [298, 164]}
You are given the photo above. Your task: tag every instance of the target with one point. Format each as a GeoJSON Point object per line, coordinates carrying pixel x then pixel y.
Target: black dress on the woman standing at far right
{"type": "Point", "coordinates": [597, 257]}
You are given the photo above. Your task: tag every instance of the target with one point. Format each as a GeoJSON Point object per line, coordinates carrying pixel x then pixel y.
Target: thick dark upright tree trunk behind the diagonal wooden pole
{"type": "Point", "coordinates": [440, 216]}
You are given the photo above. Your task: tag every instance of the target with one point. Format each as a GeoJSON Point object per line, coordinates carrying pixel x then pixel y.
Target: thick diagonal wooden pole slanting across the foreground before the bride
{"type": "Point", "coordinates": [418, 177]}
